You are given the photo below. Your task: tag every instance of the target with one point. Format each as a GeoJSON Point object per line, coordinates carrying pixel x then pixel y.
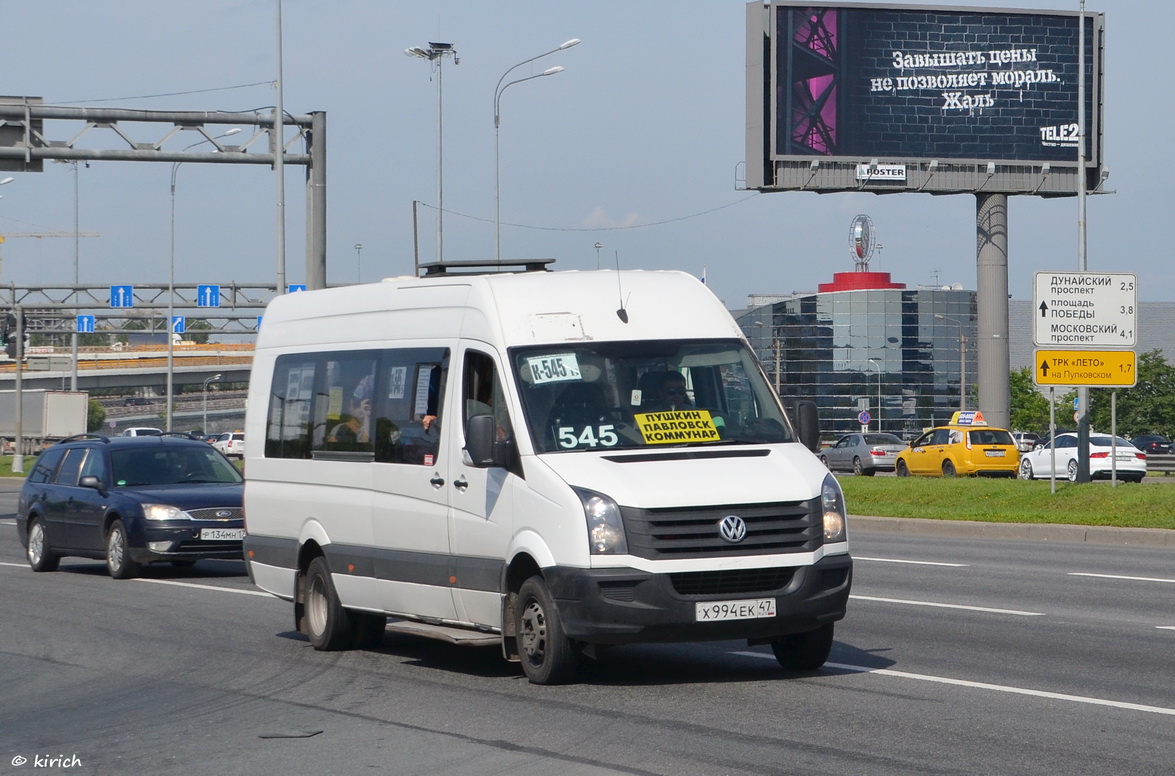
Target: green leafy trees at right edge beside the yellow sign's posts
{"type": "Point", "coordinates": [1147, 409]}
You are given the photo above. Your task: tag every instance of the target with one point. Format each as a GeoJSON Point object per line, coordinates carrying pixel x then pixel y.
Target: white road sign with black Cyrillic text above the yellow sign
{"type": "Point", "coordinates": [1085, 310]}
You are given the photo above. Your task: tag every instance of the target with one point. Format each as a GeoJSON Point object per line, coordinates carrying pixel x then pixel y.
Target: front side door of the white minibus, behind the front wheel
{"type": "Point", "coordinates": [481, 497]}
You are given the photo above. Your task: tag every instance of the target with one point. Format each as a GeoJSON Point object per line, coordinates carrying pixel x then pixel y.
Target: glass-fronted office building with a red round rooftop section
{"type": "Point", "coordinates": [864, 344]}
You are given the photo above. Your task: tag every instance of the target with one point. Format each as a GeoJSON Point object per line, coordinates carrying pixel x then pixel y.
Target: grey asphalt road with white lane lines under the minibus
{"type": "Point", "coordinates": [959, 655]}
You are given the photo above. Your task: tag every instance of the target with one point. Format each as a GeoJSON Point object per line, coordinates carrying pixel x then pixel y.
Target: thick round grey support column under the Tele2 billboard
{"type": "Point", "coordinates": [992, 300]}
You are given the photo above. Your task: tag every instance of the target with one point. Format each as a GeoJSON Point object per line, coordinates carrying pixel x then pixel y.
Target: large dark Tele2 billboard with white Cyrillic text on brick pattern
{"type": "Point", "coordinates": [919, 98]}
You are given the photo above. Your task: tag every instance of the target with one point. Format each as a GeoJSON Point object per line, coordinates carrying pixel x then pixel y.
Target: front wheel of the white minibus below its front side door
{"type": "Point", "coordinates": [548, 657]}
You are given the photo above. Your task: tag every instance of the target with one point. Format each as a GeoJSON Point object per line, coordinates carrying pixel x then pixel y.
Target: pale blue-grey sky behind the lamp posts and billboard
{"type": "Point", "coordinates": [636, 145]}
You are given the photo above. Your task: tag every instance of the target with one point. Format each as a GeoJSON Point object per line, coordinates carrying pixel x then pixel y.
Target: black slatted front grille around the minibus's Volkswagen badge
{"type": "Point", "coordinates": [694, 532]}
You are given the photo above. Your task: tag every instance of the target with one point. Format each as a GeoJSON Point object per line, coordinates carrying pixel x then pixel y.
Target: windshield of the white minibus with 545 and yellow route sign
{"type": "Point", "coordinates": [646, 394]}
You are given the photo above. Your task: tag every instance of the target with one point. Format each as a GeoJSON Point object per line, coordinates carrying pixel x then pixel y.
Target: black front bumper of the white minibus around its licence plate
{"type": "Point", "coordinates": [628, 606]}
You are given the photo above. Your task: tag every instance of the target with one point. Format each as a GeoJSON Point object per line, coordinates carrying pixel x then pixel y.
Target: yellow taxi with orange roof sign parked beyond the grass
{"type": "Point", "coordinates": [966, 446]}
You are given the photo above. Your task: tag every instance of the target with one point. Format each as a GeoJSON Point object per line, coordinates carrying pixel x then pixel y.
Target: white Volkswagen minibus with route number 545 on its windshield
{"type": "Point", "coordinates": [550, 461]}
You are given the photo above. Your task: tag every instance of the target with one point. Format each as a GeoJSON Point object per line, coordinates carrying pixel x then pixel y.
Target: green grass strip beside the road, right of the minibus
{"type": "Point", "coordinates": [1013, 501]}
